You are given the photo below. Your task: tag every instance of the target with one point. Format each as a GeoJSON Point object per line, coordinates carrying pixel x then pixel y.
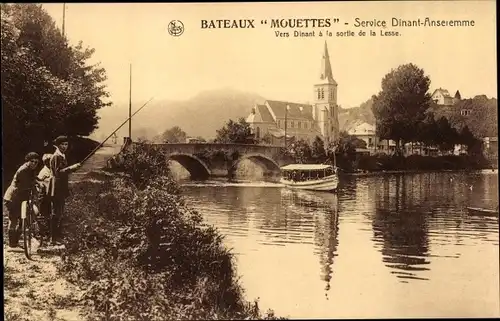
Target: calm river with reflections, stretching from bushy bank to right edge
{"type": "Point", "coordinates": [393, 245]}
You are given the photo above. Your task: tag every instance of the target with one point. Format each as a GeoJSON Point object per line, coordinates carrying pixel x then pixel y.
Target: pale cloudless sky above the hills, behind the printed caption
{"type": "Point", "coordinates": [281, 68]}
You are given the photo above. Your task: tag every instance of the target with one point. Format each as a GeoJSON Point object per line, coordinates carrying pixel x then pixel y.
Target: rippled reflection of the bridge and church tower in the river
{"type": "Point", "coordinates": [294, 217]}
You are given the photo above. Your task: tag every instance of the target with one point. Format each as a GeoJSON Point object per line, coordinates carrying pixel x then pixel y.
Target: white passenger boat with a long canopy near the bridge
{"type": "Point", "coordinates": [313, 177]}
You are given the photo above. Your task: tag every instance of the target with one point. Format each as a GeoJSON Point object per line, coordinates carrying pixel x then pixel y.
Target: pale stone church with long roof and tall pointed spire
{"type": "Point", "coordinates": [275, 118]}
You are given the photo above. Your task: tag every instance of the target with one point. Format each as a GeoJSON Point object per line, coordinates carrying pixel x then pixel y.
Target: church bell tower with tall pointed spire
{"type": "Point", "coordinates": [325, 101]}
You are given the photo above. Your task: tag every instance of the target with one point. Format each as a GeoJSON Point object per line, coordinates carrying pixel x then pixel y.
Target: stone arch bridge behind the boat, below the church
{"type": "Point", "coordinates": [203, 160]}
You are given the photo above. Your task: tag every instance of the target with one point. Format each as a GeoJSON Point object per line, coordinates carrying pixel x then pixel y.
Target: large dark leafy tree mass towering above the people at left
{"type": "Point", "coordinates": [48, 87]}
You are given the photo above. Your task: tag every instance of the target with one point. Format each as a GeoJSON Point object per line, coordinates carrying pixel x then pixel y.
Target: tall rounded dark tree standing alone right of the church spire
{"type": "Point", "coordinates": [401, 104]}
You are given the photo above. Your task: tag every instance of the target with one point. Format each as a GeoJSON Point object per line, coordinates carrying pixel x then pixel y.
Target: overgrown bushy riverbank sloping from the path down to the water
{"type": "Point", "coordinates": [139, 253]}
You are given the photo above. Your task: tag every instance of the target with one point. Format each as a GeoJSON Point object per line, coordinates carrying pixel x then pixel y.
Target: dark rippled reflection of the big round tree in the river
{"type": "Point", "coordinates": [400, 225]}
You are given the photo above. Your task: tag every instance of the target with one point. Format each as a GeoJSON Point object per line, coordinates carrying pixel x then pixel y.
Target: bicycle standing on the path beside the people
{"type": "Point", "coordinates": [30, 216]}
